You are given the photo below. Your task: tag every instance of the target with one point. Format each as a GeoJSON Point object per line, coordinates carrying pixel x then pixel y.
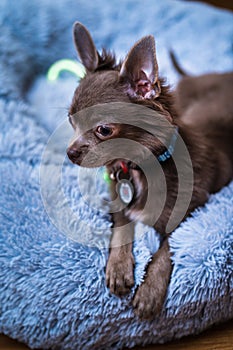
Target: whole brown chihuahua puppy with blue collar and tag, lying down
{"type": "Point", "coordinates": [197, 117]}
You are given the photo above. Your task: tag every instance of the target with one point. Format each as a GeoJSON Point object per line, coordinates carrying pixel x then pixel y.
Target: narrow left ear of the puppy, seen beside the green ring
{"type": "Point", "coordinates": [85, 47]}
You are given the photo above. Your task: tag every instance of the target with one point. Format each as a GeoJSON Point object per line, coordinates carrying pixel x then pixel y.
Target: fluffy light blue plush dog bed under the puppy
{"type": "Point", "coordinates": [54, 223]}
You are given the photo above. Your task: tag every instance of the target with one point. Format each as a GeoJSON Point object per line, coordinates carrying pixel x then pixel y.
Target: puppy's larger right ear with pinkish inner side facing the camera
{"type": "Point", "coordinates": [140, 69]}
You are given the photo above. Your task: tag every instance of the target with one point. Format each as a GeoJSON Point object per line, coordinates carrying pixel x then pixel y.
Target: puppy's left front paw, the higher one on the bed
{"type": "Point", "coordinates": [120, 273]}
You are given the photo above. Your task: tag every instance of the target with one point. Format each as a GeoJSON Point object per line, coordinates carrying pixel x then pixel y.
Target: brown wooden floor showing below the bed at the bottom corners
{"type": "Point", "coordinates": [217, 338]}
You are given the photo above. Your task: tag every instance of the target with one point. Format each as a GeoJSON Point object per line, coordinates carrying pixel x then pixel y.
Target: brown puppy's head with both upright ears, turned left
{"type": "Point", "coordinates": [101, 108]}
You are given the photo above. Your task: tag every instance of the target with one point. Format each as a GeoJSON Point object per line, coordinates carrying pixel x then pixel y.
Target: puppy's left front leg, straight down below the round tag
{"type": "Point", "coordinates": [120, 266]}
